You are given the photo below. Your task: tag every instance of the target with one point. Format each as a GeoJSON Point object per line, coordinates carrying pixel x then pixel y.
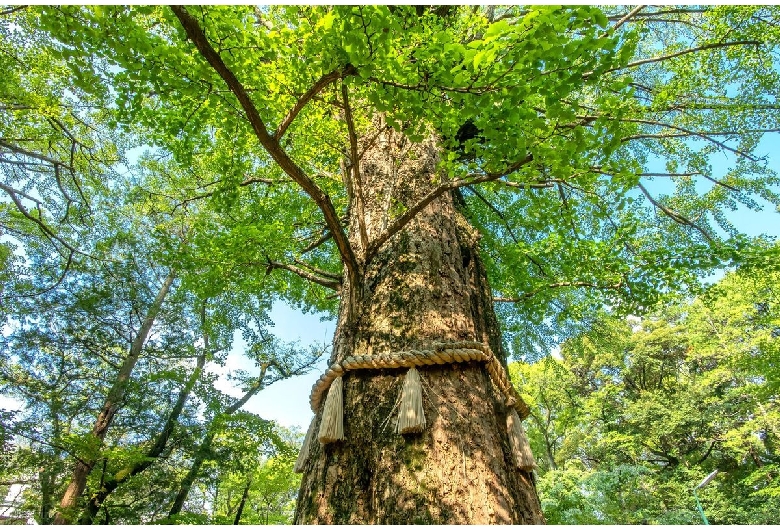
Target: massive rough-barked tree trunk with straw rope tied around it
{"type": "Point", "coordinates": [427, 284]}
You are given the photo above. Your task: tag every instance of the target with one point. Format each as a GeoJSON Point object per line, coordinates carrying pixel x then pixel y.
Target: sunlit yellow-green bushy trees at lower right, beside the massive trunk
{"type": "Point", "coordinates": [636, 412]}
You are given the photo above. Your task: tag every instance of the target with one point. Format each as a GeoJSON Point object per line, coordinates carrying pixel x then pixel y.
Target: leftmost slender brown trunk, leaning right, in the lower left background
{"type": "Point", "coordinates": [110, 406]}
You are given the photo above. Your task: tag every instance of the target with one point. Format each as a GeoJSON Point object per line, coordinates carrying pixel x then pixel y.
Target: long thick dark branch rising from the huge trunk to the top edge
{"type": "Point", "coordinates": [198, 37]}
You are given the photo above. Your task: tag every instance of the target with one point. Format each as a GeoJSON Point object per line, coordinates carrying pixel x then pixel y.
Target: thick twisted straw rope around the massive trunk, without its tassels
{"type": "Point", "coordinates": [442, 353]}
